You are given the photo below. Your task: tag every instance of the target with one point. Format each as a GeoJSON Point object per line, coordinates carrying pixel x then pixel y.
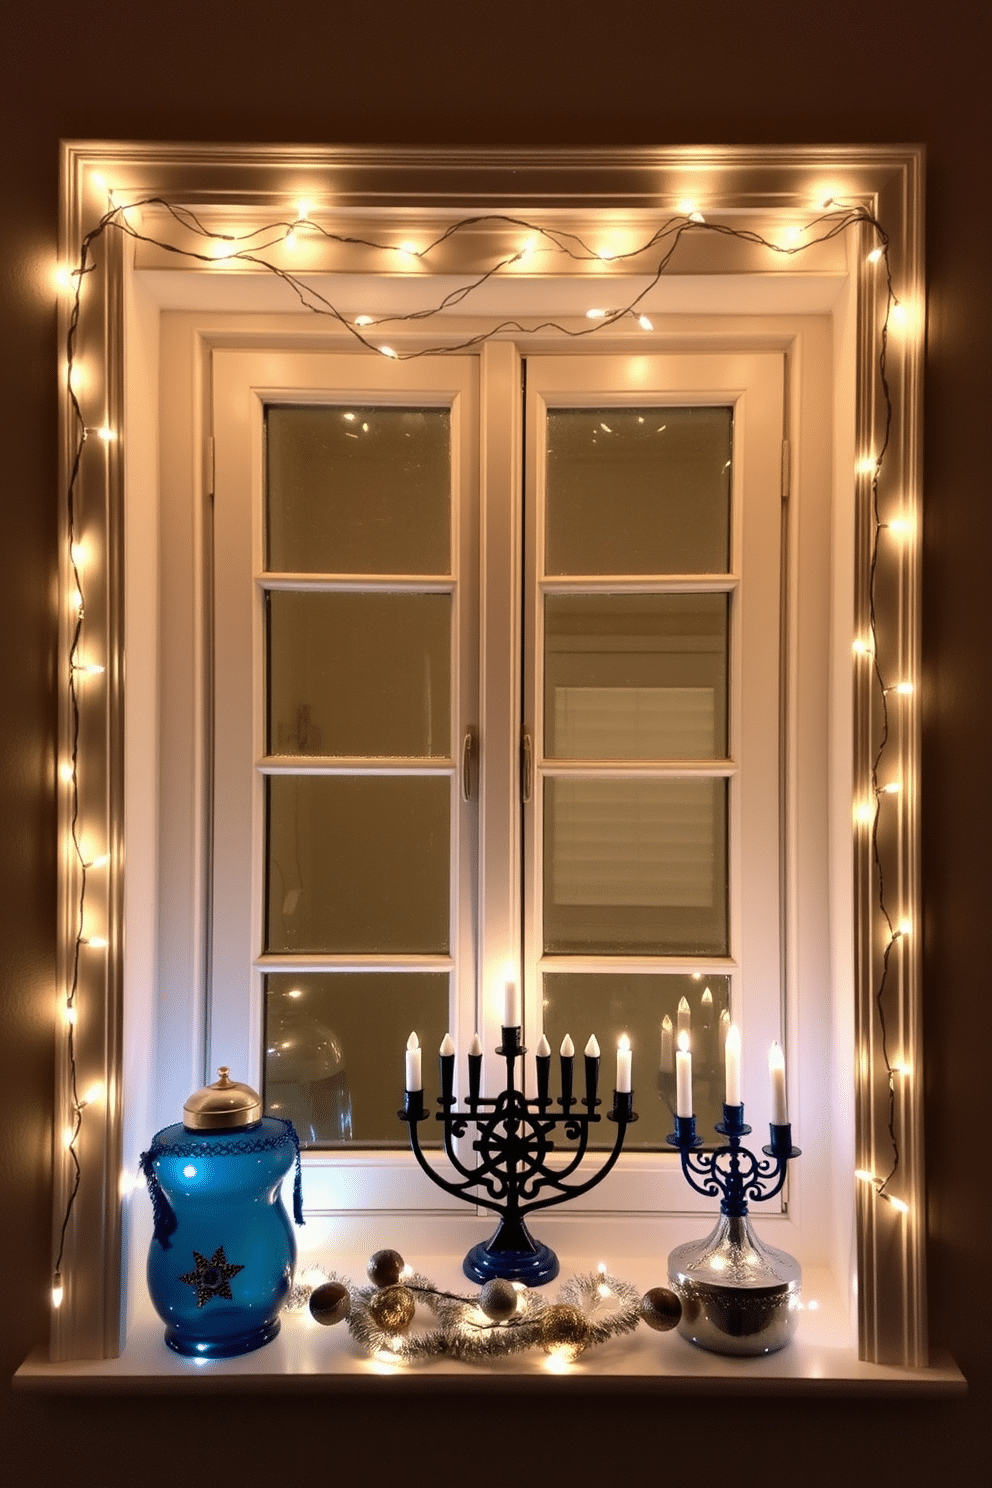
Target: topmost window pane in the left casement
{"type": "Point", "coordinates": [358, 490]}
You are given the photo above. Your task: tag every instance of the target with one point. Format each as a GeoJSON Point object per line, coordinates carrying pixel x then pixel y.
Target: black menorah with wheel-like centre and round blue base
{"type": "Point", "coordinates": [514, 1141]}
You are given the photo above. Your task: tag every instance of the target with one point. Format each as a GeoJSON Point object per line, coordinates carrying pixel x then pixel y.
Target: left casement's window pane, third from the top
{"type": "Point", "coordinates": [358, 864]}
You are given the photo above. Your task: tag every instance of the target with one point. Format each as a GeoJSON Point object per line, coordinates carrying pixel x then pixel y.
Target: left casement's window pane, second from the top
{"type": "Point", "coordinates": [359, 673]}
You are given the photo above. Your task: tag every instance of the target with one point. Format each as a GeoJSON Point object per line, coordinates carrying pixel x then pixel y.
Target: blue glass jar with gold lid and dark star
{"type": "Point", "coordinates": [222, 1258]}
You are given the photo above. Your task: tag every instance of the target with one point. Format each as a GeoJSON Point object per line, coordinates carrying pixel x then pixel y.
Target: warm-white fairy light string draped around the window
{"type": "Point", "coordinates": [254, 249]}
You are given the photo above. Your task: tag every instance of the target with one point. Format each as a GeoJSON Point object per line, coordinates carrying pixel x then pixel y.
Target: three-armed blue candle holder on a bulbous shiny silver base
{"type": "Point", "coordinates": [738, 1295]}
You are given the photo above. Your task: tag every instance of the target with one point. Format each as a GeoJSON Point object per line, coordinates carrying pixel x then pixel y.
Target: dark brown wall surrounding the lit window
{"type": "Point", "coordinates": [517, 72]}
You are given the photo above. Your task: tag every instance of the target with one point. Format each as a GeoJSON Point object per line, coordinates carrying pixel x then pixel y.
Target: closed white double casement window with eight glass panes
{"type": "Point", "coordinates": [349, 858]}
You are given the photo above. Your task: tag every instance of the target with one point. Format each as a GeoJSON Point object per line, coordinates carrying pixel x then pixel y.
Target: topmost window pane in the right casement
{"type": "Point", "coordinates": [639, 490]}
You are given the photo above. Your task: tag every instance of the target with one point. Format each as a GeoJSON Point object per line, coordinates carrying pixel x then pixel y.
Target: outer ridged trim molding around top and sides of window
{"type": "Point", "coordinates": [414, 185]}
